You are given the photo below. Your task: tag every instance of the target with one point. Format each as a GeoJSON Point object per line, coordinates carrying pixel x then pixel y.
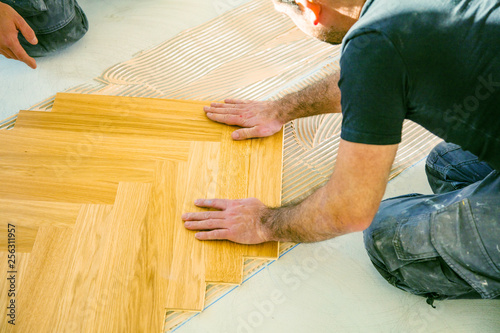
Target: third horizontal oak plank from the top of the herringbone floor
{"type": "Point", "coordinates": [42, 142]}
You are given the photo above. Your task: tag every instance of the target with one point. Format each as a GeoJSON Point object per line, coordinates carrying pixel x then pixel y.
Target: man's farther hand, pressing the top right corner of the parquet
{"type": "Point", "coordinates": [259, 119]}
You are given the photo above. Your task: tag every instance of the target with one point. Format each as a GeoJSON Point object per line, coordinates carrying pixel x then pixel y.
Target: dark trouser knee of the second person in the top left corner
{"type": "Point", "coordinates": [57, 24]}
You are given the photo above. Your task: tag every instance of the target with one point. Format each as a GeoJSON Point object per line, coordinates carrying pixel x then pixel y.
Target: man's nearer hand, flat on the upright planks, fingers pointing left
{"type": "Point", "coordinates": [235, 220]}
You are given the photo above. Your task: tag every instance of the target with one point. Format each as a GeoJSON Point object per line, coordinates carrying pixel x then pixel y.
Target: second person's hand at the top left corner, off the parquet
{"type": "Point", "coordinates": [10, 23]}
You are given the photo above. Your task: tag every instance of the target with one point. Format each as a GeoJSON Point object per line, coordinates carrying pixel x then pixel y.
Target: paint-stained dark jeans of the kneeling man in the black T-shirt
{"type": "Point", "coordinates": [446, 245]}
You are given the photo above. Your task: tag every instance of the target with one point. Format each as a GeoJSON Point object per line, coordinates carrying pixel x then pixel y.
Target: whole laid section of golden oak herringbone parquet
{"type": "Point", "coordinates": [95, 190]}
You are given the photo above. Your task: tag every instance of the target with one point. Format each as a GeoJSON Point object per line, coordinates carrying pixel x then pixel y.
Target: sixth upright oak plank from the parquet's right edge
{"type": "Point", "coordinates": [78, 272]}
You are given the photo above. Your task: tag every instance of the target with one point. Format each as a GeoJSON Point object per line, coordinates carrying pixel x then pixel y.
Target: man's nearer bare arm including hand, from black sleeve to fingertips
{"type": "Point", "coordinates": [347, 203]}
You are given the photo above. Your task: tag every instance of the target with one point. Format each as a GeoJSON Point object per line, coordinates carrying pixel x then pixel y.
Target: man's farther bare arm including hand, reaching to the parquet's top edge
{"type": "Point", "coordinates": [260, 119]}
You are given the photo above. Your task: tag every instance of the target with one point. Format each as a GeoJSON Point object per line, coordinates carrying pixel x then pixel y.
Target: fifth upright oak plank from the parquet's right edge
{"type": "Point", "coordinates": [122, 260]}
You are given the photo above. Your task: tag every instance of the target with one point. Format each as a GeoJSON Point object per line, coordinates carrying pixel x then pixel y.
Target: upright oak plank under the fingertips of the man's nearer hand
{"type": "Point", "coordinates": [198, 181]}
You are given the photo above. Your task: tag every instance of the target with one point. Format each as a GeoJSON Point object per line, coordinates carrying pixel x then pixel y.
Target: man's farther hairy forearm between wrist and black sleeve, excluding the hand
{"type": "Point", "coordinates": [318, 98]}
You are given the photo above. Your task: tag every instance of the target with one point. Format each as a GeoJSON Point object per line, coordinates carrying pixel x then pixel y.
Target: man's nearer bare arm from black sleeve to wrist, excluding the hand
{"type": "Point", "coordinates": [347, 203]}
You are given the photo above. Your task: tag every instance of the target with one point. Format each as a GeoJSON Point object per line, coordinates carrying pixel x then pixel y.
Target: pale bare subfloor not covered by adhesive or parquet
{"type": "Point", "coordinates": [324, 287]}
